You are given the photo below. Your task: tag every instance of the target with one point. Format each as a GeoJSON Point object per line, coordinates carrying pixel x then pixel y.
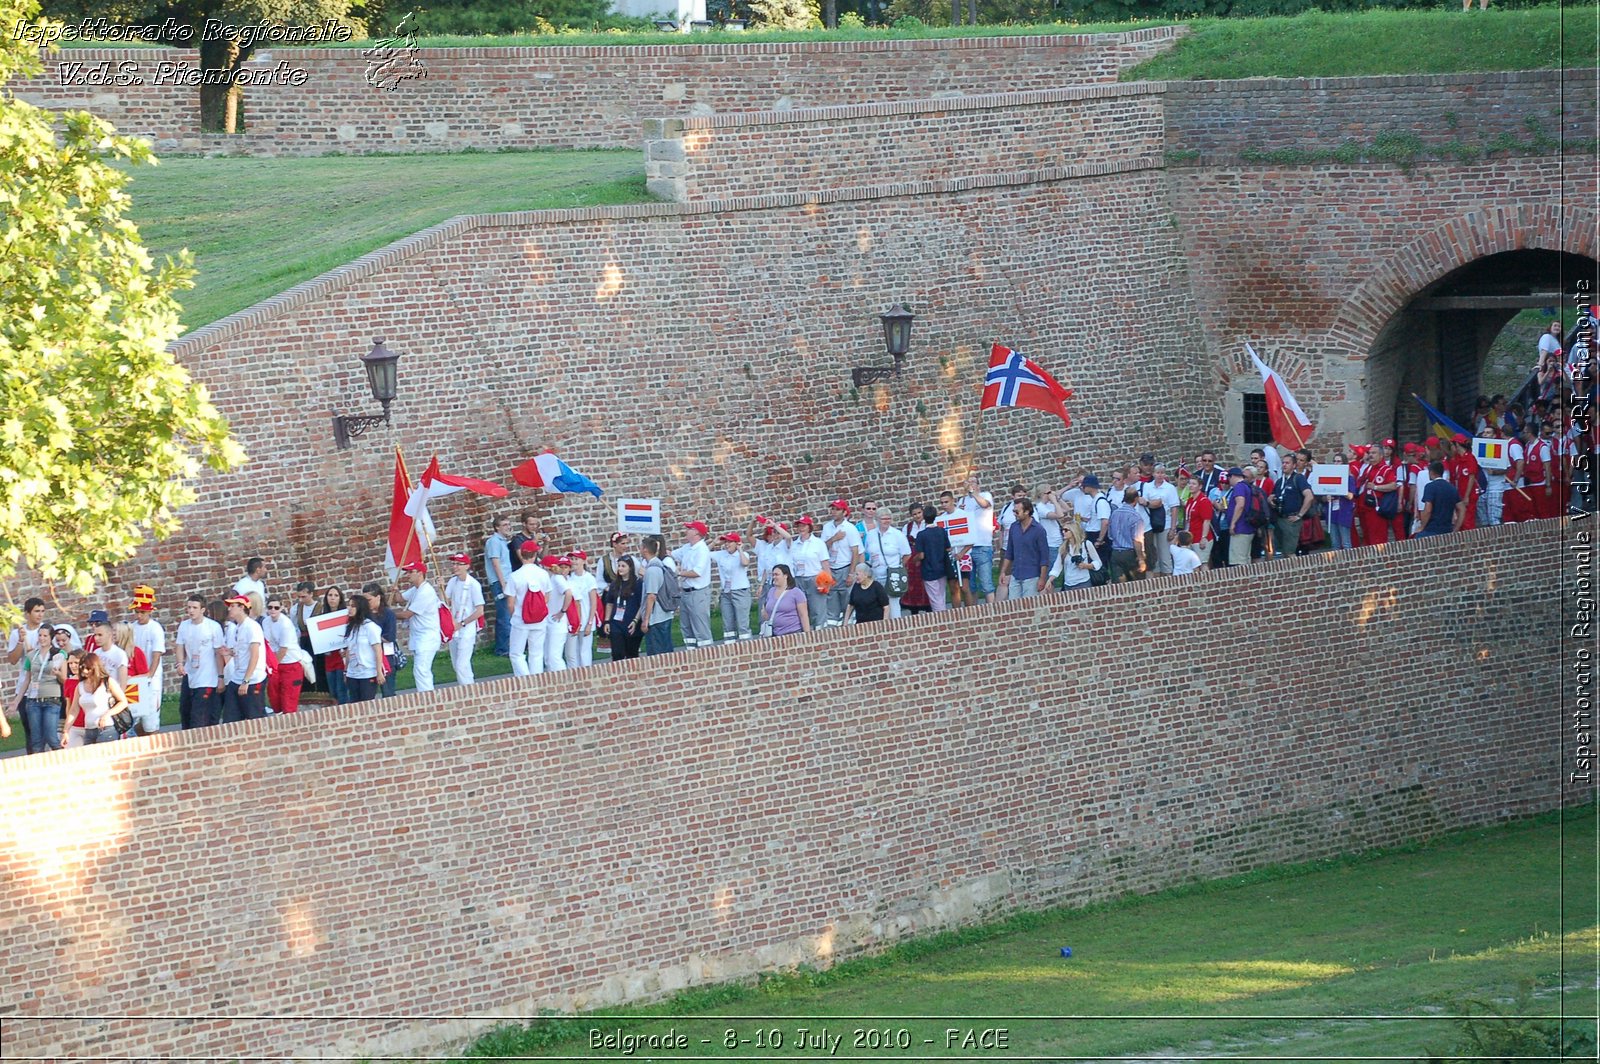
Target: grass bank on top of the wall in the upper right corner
{"type": "Point", "coordinates": [1354, 44]}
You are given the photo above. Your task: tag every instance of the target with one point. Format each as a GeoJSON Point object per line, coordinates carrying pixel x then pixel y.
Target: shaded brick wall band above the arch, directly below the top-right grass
{"type": "Point", "coordinates": [1222, 121]}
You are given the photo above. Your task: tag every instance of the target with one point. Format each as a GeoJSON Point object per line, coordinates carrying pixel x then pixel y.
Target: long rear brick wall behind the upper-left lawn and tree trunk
{"type": "Point", "coordinates": [570, 97]}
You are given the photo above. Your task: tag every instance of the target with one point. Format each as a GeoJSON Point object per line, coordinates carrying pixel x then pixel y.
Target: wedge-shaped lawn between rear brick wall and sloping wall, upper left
{"type": "Point", "coordinates": [260, 226]}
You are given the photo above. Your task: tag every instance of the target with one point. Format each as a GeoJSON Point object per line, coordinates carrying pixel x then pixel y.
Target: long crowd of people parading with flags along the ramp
{"type": "Point", "coordinates": [252, 654]}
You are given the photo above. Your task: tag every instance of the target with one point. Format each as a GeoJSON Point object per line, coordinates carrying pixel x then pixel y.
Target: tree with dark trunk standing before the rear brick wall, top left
{"type": "Point", "coordinates": [222, 54]}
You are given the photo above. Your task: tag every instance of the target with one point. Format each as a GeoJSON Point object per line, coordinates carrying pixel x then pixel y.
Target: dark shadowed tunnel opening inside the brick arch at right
{"type": "Point", "coordinates": [1436, 346]}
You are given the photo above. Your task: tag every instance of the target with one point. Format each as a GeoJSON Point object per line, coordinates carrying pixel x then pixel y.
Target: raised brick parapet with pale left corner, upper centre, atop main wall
{"type": "Point", "coordinates": [838, 148]}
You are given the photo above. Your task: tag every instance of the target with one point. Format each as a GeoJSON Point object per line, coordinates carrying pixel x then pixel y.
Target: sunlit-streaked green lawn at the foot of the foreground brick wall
{"type": "Point", "coordinates": [1290, 964]}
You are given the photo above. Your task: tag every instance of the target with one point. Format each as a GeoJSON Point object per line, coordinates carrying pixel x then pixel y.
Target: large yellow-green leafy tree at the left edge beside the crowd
{"type": "Point", "coordinates": [102, 431]}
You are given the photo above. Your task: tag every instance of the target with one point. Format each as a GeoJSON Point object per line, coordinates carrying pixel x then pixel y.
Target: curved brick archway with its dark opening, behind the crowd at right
{"type": "Point", "coordinates": [1402, 334]}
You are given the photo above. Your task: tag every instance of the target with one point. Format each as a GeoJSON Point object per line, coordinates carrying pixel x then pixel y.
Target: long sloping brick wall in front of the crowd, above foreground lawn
{"type": "Point", "coordinates": [609, 834]}
